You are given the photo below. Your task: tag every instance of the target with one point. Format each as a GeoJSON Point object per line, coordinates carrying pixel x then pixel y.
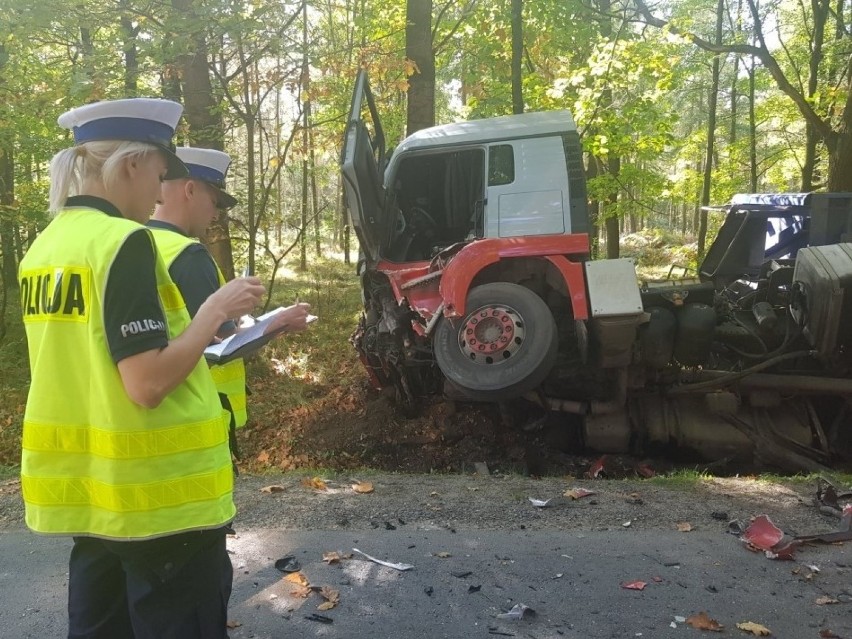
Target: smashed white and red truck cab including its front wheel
{"type": "Point", "coordinates": [468, 232]}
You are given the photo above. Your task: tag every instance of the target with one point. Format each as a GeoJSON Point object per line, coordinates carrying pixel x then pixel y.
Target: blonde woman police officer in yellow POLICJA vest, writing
{"type": "Point", "coordinates": [125, 443]}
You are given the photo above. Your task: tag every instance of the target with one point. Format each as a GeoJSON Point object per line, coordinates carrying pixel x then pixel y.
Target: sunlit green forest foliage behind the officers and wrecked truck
{"type": "Point", "coordinates": [276, 78]}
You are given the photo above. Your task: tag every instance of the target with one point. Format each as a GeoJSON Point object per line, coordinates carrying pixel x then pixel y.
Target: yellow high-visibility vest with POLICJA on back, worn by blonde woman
{"type": "Point", "coordinates": [94, 462]}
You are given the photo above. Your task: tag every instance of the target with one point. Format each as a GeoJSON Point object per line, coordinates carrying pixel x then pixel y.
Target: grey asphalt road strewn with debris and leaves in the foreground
{"type": "Point", "coordinates": [462, 580]}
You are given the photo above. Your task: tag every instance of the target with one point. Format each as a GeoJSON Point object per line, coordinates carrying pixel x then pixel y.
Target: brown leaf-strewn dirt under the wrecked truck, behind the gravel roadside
{"type": "Point", "coordinates": [357, 427]}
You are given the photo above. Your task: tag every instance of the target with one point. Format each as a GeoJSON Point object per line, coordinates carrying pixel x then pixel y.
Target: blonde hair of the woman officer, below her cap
{"type": "Point", "coordinates": [91, 160]}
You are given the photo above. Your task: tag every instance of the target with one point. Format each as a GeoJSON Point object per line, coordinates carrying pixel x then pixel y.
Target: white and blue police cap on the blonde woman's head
{"type": "Point", "coordinates": [148, 120]}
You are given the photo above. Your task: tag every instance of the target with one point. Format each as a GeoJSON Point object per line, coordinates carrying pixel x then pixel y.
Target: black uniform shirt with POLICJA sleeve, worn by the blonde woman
{"type": "Point", "coordinates": [134, 320]}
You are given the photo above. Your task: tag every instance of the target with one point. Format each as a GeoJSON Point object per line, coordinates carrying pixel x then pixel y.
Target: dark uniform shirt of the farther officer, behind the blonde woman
{"type": "Point", "coordinates": [195, 274]}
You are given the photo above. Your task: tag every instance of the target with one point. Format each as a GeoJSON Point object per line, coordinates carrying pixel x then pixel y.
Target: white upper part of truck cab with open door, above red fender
{"type": "Point", "coordinates": [504, 177]}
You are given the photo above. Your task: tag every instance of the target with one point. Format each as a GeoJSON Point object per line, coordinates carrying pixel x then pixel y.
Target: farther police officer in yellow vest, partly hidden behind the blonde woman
{"type": "Point", "coordinates": [187, 208]}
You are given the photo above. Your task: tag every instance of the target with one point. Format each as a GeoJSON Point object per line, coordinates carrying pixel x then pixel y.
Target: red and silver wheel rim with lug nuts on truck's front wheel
{"type": "Point", "coordinates": [491, 334]}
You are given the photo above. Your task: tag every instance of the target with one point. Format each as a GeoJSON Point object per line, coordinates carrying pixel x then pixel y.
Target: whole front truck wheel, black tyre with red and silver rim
{"type": "Point", "coordinates": [503, 347]}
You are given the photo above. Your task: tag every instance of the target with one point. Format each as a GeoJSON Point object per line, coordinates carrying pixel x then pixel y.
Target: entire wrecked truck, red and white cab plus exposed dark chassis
{"type": "Point", "coordinates": [477, 284]}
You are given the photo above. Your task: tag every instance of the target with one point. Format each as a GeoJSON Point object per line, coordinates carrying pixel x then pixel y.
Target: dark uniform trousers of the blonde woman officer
{"type": "Point", "coordinates": [174, 587]}
